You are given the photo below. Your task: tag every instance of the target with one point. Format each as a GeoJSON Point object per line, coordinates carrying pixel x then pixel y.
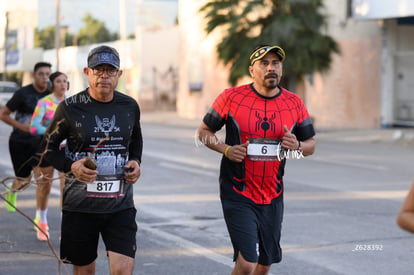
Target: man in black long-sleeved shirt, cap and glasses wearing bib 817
{"type": "Point", "coordinates": [102, 161]}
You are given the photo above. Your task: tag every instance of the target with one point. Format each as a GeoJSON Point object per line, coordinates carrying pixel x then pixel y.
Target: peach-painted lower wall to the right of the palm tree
{"type": "Point", "coordinates": [348, 96]}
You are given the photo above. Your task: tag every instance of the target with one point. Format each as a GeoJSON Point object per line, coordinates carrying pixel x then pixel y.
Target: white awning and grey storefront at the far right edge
{"type": "Point", "coordinates": [396, 21]}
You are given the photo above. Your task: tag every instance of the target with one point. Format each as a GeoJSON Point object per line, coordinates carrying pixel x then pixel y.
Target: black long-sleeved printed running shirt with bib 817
{"type": "Point", "coordinates": [109, 133]}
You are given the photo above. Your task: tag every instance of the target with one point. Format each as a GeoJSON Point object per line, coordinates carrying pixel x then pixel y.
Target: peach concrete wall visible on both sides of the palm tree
{"type": "Point", "coordinates": [348, 96]}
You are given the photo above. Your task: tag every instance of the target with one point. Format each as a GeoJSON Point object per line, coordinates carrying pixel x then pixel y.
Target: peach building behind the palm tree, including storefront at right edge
{"type": "Point", "coordinates": [368, 86]}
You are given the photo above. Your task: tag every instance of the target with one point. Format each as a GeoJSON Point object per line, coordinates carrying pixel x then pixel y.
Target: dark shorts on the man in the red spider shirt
{"type": "Point", "coordinates": [255, 230]}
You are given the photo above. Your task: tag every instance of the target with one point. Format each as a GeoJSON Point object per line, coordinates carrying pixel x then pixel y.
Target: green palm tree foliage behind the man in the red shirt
{"type": "Point", "coordinates": [295, 25]}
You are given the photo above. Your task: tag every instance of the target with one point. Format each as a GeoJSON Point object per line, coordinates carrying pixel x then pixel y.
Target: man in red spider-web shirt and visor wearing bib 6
{"type": "Point", "coordinates": [265, 125]}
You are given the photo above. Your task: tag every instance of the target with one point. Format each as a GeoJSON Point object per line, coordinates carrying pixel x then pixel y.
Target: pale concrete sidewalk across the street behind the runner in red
{"type": "Point", "coordinates": [399, 135]}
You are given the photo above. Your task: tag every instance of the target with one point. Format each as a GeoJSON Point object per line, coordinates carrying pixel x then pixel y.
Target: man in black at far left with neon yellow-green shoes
{"type": "Point", "coordinates": [22, 145]}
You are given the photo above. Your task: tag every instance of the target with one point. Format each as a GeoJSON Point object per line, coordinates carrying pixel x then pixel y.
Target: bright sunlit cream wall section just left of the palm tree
{"type": "Point", "coordinates": [198, 63]}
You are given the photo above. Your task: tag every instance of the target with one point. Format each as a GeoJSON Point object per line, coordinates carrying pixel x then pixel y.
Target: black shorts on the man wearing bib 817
{"type": "Point", "coordinates": [80, 235]}
